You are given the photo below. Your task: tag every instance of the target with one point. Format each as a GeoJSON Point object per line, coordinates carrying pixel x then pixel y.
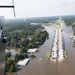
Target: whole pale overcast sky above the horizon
{"type": "Point", "coordinates": [38, 8]}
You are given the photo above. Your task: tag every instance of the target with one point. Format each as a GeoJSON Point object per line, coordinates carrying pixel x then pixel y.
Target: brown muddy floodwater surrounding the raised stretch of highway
{"type": "Point", "coordinates": [48, 67]}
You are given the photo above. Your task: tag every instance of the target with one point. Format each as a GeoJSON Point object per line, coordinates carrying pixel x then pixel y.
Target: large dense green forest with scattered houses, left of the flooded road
{"type": "Point", "coordinates": [24, 35]}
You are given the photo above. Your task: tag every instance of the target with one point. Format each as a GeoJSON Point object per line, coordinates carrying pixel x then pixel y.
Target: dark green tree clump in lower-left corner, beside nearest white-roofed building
{"type": "Point", "coordinates": [10, 63]}
